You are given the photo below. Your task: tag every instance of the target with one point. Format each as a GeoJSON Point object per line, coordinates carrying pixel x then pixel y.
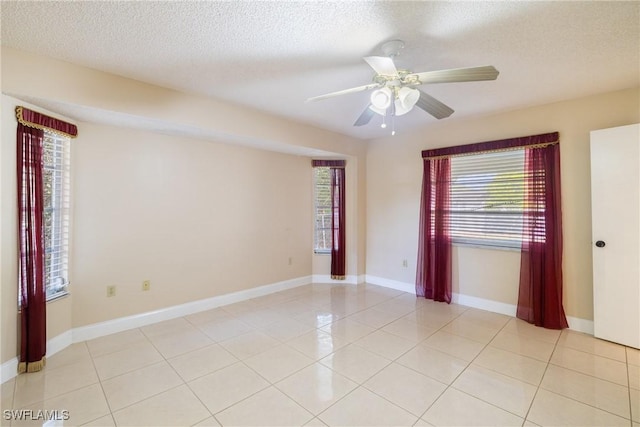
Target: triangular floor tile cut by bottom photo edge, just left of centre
{"type": "Point", "coordinates": [269, 407]}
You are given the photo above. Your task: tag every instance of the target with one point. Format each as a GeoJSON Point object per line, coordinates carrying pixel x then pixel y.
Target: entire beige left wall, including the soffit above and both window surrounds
{"type": "Point", "coordinates": [199, 218]}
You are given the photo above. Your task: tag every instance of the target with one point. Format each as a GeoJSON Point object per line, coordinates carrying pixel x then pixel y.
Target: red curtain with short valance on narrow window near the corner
{"type": "Point", "coordinates": [338, 217]}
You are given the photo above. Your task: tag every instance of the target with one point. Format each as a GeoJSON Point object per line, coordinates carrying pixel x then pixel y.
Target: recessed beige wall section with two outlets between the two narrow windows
{"type": "Point", "coordinates": [197, 219]}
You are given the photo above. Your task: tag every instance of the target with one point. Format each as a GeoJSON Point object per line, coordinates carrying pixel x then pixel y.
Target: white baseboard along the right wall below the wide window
{"type": "Point", "coordinates": [575, 323]}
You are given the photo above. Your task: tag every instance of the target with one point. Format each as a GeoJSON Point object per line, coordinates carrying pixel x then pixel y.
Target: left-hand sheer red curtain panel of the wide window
{"type": "Point", "coordinates": [433, 275]}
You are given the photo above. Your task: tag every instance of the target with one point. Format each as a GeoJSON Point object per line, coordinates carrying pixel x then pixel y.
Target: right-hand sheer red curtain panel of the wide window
{"type": "Point", "coordinates": [540, 295]}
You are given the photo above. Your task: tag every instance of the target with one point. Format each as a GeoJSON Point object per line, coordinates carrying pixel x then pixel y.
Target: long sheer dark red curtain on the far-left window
{"type": "Point", "coordinates": [33, 339]}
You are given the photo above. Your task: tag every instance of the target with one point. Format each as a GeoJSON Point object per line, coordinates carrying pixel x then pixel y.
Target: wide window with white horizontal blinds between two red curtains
{"type": "Point", "coordinates": [487, 198]}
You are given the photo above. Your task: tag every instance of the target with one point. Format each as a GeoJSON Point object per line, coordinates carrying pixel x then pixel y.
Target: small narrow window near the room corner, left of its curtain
{"type": "Point", "coordinates": [322, 207]}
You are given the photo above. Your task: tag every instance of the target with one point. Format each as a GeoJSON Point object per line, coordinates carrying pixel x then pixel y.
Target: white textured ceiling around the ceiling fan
{"type": "Point", "coordinates": [273, 55]}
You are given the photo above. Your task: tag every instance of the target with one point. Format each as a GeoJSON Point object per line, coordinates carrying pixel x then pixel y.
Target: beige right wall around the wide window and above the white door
{"type": "Point", "coordinates": [394, 177]}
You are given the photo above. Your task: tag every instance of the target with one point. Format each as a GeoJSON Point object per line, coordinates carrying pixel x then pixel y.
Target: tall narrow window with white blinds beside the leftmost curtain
{"type": "Point", "coordinates": [56, 153]}
